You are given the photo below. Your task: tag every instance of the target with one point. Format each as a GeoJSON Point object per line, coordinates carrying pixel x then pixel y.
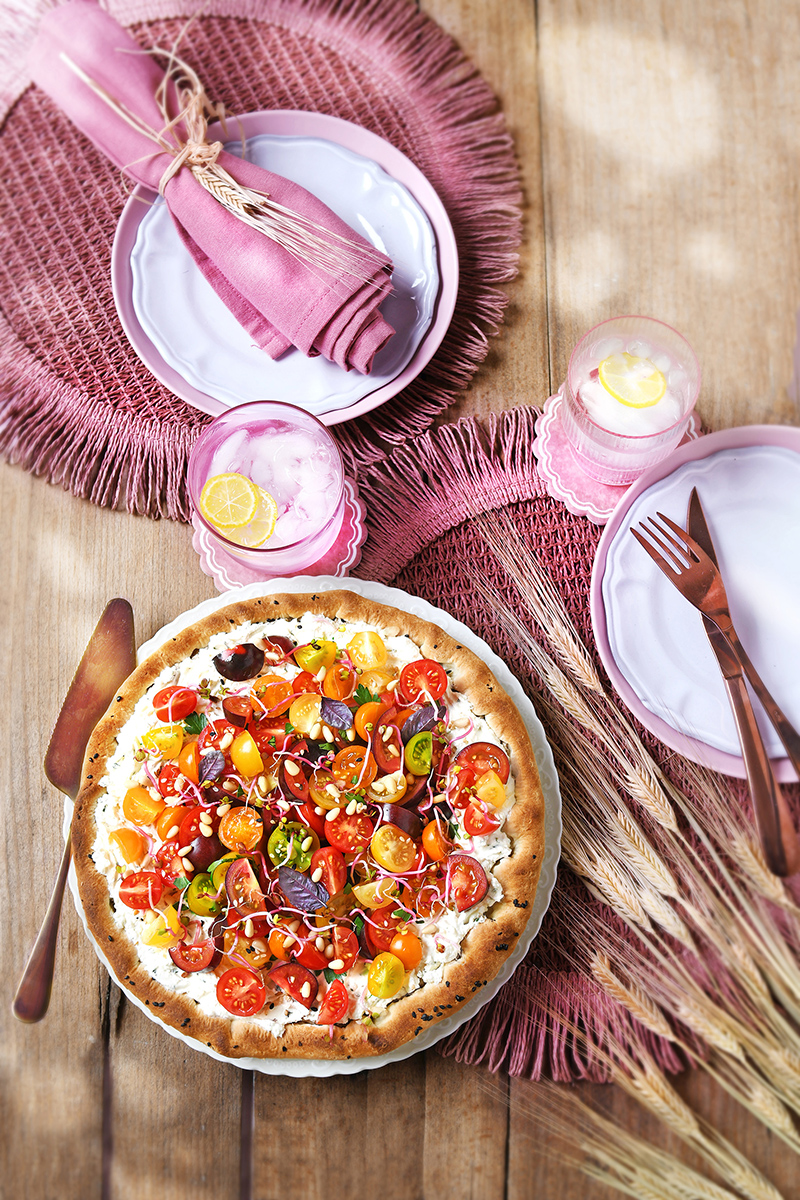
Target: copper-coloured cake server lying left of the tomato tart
{"type": "Point", "coordinates": [109, 661]}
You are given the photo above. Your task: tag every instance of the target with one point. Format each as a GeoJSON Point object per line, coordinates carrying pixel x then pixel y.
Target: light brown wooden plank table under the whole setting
{"type": "Point", "coordinates": [659, 149]}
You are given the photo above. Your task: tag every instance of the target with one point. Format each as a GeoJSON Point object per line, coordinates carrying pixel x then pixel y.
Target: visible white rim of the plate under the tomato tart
{"type": "Point", "coordinates": [549, 778]}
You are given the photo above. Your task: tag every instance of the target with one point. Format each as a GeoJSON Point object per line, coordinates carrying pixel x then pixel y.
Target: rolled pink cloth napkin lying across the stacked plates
{"type": "Point", "coordinates": [328, 307]}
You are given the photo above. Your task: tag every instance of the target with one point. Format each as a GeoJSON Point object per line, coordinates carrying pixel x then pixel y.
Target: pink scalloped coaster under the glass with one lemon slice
{"type": "Point", "coordinates": [563, 477]}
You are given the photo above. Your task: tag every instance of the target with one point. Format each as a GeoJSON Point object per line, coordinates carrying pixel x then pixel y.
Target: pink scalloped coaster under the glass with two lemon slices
{"type": "Point", "coordinates": [346, 553]}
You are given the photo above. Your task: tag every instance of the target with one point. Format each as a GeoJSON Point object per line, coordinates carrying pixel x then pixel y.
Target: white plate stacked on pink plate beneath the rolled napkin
{"type": "Point", "coordinates": [189, 339]}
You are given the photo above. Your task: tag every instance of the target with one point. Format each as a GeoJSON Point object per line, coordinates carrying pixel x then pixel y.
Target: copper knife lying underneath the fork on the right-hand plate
{"type": "Point", "coordinates": [777, 830]}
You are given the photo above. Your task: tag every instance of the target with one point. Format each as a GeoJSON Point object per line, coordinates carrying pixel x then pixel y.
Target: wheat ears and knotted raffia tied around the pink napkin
{"type": "Point", "coordinates": [184, 139]}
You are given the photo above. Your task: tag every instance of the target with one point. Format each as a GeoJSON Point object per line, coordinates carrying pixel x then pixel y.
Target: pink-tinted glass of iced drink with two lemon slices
{"type": "Point", "coordinates": [292, 458]}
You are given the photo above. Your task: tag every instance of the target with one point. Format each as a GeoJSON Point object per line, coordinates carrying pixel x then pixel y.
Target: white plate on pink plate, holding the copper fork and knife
{"type": "Point", "coordinates": [652, 640]}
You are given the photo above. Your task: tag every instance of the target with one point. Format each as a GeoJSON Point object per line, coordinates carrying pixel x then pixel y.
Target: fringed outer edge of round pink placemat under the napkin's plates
{"type": "Point", "coordinates": [426, 75]}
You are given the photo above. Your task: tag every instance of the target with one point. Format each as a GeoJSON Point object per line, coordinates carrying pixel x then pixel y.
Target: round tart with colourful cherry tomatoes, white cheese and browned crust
{"type": "Point", "coordinates": [316, 848]}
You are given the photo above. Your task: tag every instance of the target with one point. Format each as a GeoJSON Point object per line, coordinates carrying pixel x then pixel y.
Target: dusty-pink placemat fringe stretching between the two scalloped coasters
{"type": "Point", "coordinates": [447, 477]}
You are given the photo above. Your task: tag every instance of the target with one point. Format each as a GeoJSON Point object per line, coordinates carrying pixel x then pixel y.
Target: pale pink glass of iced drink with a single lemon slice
{"type": "Point", "coordinates": [631, 387]}
